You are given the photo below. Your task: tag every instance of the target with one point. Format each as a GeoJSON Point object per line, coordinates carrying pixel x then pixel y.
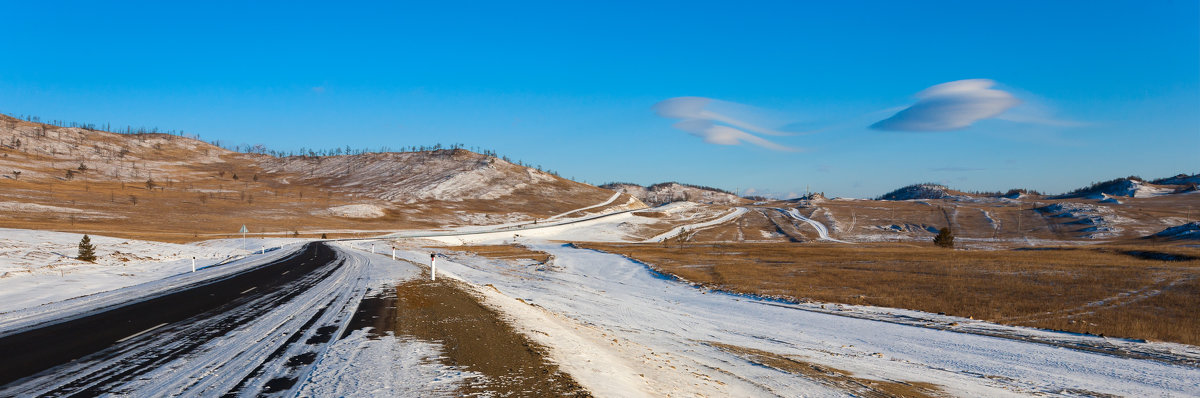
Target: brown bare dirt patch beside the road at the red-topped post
{"type": "Point", "coordinates": [473, 337]}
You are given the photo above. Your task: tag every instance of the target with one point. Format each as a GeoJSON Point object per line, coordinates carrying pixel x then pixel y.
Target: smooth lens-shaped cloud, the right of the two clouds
{"type": "Point", "coordinates": [951, 106]}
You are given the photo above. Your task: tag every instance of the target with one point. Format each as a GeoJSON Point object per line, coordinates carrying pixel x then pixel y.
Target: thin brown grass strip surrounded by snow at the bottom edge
{"type": "Point", "coordinates": [832, 377]}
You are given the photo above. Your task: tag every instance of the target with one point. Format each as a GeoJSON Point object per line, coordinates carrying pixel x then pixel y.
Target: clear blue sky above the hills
{"type": "Point", "coordinates": [1105, 89]}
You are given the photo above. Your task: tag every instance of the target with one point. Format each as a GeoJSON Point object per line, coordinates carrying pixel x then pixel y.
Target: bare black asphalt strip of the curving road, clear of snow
{"type": "Point", "coordinates": [35, 351]}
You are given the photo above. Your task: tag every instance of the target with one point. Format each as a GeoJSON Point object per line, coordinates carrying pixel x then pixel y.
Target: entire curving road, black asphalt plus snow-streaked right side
{"type": "Point", "coordinates": [255, 333]}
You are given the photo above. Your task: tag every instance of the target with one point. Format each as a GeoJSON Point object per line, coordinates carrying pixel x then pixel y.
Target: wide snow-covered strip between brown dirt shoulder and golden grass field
{"type": "Point", "coordinates": [626, 331]}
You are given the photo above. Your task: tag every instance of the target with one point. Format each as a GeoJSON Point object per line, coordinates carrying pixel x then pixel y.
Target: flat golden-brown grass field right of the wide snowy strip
{"type": "Point", "coordinates": [1094, 291]}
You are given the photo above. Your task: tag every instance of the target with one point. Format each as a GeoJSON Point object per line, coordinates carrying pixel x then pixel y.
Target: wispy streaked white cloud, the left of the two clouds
{"type": "Point", "coordinates": [698, 118]}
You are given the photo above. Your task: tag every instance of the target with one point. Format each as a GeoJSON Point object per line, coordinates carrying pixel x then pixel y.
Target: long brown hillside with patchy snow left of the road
{"type": "Point", "coordinates": [170, 188]}
